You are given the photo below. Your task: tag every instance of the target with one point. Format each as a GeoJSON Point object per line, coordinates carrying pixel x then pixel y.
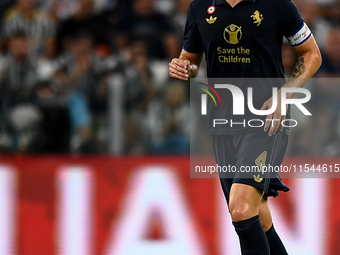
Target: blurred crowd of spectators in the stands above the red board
{"type": "Point", "coordinates": [62, 61]}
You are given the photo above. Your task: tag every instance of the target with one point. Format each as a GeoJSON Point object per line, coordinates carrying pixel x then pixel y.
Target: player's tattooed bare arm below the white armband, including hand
{"type": "Point", "coordinates": [309, 62]}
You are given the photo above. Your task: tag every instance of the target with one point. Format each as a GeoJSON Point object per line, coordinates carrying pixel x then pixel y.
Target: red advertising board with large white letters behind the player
{"type": "Point", "coordinates": [104, 205]}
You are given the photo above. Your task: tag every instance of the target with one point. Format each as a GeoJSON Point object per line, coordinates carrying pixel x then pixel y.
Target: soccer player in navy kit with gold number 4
{"type": "Point", "coordinates": [243, 38]}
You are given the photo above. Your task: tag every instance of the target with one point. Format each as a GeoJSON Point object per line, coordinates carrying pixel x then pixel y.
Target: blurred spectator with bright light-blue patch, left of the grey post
{"type": "Point", "coordinates": [83, 73]}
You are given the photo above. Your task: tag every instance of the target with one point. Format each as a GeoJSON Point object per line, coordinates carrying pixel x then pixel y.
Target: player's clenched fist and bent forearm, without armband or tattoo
{"type": "Point", "coordinates": [186, 66]}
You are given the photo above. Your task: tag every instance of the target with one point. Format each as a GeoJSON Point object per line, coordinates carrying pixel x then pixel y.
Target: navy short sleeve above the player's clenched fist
{"type": "Point", "coordinates": [192, 41]}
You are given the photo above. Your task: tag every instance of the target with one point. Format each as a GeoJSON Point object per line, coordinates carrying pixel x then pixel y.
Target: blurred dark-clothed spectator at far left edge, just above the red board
{"type": "Point", "coordinates": [17, 83]}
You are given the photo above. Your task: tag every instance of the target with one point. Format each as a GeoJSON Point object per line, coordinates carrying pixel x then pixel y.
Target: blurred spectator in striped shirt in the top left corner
{"type": "Point", "coordinates": [37, 26]}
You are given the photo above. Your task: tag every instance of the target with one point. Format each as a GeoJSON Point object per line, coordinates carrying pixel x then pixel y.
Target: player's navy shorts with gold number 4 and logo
{"type": "Point", "coordinates": [247, 150]}
